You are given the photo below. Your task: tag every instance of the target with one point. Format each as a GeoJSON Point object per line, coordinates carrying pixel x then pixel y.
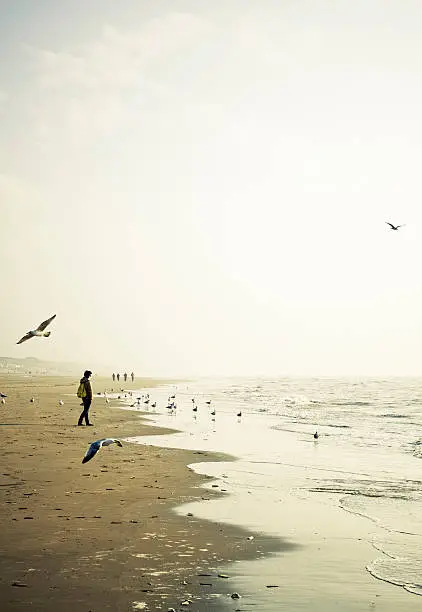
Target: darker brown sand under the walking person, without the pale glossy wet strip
{"type": "Point", "coordinates": [101, 536]}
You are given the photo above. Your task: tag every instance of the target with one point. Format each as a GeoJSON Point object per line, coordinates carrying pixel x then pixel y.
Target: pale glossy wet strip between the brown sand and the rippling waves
{"type": "Point", "coordinates": [274, 489]}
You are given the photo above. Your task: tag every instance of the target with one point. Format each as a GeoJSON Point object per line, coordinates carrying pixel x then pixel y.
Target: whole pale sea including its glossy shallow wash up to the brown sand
{"type": "Point", "coordinates": [351, 499]}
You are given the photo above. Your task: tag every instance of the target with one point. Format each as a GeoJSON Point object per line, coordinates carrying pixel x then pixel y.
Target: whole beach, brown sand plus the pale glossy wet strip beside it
{"type": "Point", "coordinates": [135, 528]}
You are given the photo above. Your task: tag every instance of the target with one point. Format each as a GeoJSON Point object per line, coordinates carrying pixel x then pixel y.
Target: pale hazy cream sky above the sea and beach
{"type": "Point", "coordinates": [201, 188]}
